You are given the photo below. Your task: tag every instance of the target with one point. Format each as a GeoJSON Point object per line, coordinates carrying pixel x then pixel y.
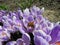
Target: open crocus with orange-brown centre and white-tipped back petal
{"type": "Point", "coordinates": [28, 21]}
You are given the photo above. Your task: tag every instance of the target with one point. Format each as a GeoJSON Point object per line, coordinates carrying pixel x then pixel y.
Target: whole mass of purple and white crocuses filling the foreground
{"type": "Point", "coordinates": [31, 27]}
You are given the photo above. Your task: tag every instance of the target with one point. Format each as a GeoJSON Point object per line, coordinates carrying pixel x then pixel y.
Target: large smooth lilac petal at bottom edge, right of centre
{"type": "Point", "coordinates": [38, 40]}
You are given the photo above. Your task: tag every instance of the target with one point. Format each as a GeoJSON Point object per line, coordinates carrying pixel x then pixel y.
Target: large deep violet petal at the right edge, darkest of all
{"type": "Point", "coordinates": [55, 34]}
